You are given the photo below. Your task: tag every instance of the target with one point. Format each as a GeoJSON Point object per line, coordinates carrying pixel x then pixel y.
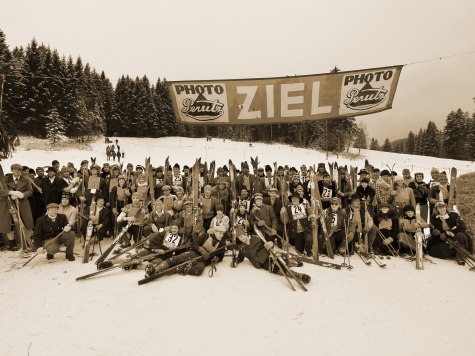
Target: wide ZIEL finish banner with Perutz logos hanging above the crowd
{"type": "Point", "coordinates": [284, 100]}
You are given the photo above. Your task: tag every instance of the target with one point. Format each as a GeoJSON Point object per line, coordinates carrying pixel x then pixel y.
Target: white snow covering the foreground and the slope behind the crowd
{"type": "Point", "coordinates": [243, 311]}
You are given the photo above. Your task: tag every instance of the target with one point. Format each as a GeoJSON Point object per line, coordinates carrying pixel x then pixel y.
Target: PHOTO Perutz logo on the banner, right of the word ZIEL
{"type": "Point", "coordinates": [368, 96]}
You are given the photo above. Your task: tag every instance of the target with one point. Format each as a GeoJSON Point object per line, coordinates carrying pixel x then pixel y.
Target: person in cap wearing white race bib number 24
{"type": "Point", "coordinates": [300, 218]}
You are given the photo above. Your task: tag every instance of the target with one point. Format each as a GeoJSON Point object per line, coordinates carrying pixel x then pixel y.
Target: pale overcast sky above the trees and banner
{"type": "Point", "coordinates": [219, 39]}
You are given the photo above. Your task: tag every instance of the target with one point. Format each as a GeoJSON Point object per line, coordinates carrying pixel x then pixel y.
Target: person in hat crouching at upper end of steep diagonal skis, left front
{"type": "Point", "coordinates": [134, 214]}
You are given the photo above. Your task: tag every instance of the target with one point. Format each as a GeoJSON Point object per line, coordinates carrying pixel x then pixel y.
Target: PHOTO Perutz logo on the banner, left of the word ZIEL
{"type": "Point", "coordinates": [201, 108]}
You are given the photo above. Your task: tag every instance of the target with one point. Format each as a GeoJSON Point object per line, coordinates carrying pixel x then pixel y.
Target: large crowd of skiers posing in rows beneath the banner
{"type": "Point", "coordinates": [372, 212]}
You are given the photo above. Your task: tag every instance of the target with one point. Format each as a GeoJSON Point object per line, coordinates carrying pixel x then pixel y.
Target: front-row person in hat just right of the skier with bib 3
{"type": "Point", "coordinates": [360, 225]}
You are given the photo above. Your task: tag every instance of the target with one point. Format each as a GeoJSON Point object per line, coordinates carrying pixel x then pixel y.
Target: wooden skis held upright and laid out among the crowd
{"type": "Point", "coordinates": [276, 255]}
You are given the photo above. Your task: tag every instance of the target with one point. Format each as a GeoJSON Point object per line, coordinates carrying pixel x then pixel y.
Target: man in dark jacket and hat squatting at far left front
{"type": "Point", "coordinates": [48, 227]}
